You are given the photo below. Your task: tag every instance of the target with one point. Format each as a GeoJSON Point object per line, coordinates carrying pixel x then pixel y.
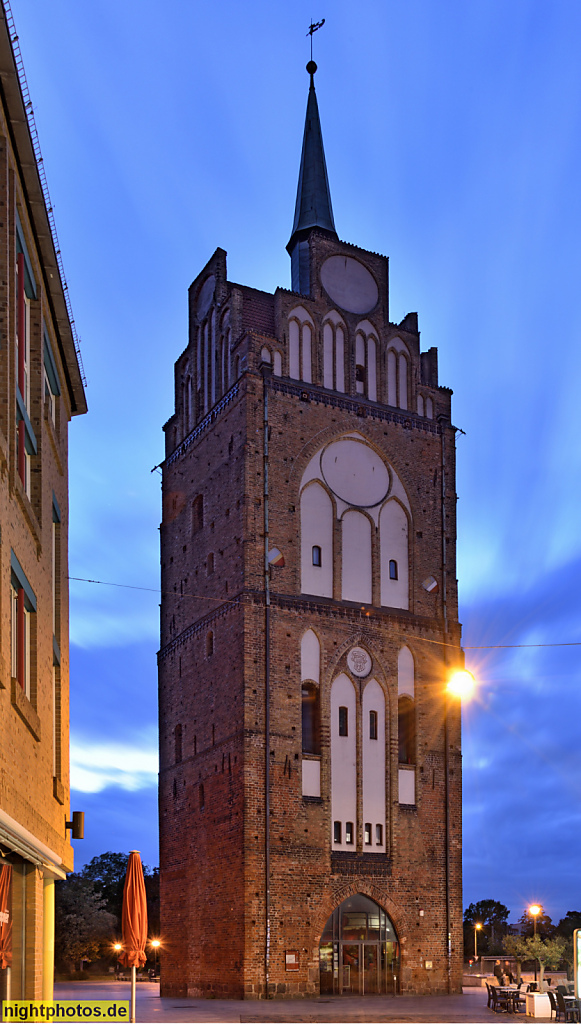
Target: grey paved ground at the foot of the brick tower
{"type": "Point", "coordinates": [471, 1008]}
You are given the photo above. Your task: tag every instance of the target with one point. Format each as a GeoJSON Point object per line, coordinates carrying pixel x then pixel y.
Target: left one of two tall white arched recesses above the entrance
{"type": "Point", "coordinates": [344, 764]}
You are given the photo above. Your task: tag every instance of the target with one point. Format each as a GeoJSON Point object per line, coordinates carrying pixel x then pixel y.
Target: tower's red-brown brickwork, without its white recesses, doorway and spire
{"type": "Point", "coordinates": [227, 931]}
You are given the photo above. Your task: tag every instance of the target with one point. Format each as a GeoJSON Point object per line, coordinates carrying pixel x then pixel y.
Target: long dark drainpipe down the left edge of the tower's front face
{"type": "Point", "coordinates": [267, 370]}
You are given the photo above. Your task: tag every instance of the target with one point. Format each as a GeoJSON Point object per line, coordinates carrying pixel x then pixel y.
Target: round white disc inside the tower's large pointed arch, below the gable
{"type": "Point", "coordinates": [355, 473]}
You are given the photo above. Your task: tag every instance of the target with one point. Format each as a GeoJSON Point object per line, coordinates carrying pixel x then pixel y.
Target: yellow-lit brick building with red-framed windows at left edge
{"type": "Point", "coordinates": [34, 520]}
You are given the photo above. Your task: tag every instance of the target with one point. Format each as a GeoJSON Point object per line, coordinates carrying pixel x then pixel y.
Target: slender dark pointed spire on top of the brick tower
{"type": "Point", "coordinates": [313, 198]}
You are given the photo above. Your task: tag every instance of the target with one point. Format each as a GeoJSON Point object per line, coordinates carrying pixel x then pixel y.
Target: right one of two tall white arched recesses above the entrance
{"type": "Point", "coordinates": [373, 711]}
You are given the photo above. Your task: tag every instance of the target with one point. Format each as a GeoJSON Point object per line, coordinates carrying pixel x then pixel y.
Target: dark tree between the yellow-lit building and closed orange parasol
{"type": "Point", "coordinates": [84, 924]}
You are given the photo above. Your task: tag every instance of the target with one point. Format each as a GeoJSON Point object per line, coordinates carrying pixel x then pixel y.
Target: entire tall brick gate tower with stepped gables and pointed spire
{"type": "Point", "coordinates": [310, 777]}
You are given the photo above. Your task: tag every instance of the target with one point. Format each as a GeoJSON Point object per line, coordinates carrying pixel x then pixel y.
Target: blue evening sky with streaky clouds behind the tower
{"type": "Point", "coordinates": [452, 134]}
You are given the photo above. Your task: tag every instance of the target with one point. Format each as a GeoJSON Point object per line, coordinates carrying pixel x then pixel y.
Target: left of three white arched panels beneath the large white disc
{"type": "Point", "coordinates": [317, 528]}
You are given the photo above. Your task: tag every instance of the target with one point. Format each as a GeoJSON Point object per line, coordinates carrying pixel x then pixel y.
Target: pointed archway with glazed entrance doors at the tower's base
{"type": "Point", "coordinates": [359, 953]}
